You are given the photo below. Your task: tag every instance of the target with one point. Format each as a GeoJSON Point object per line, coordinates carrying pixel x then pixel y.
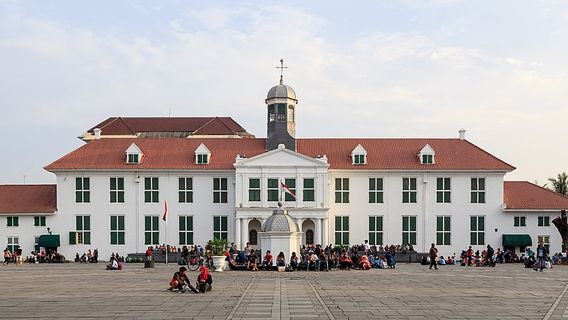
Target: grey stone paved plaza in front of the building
{"type": "Point", "coordinates": [72, 291]}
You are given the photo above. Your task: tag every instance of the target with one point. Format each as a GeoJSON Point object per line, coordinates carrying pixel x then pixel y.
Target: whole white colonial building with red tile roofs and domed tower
{"type": "Point", "coordinates": [217, 180]}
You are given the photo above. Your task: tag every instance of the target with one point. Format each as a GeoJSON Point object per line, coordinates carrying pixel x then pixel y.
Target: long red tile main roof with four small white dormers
{"type": "Point", "coordinates": [179, 153]}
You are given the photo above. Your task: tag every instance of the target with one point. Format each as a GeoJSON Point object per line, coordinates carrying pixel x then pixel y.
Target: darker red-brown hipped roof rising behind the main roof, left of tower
{"type": "Point", "coordinates": [132, 125]}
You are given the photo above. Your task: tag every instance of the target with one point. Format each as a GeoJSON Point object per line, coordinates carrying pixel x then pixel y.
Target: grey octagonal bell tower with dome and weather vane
{"type": "Point", "coordinates": [281, 115]}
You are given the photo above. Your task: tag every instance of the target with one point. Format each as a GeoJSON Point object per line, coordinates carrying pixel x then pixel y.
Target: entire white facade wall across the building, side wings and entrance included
{"type": "Point", "coordinates": [318, 215]}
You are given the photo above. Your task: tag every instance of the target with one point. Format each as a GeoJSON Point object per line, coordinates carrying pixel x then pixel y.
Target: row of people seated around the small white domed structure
{"type": "Point", "coordinates": [314, 257]}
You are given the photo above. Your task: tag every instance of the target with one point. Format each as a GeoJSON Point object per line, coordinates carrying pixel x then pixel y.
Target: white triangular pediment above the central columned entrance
{"type": "Point", "coordinates": [280, 158]}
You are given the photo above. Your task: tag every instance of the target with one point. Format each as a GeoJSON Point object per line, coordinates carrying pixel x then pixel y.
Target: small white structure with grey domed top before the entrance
{"type": "Point", "coordinates": [280, 233]}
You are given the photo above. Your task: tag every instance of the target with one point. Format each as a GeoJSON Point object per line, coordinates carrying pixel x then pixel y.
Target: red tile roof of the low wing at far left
{"type": "Point", "coordinates": [28, 198]}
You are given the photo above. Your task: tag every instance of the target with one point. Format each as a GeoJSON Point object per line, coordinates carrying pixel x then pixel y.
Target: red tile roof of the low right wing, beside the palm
{"type": "Point", "coordinates": [526, 195]}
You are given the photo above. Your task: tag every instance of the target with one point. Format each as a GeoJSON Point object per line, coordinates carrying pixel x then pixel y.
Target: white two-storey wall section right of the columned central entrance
{"type": "Point", "coordinates": [426, 209]}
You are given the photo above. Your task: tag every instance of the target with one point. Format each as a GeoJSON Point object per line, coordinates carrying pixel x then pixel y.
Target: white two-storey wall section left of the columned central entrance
{"type": "Point", "coordinates": [135, 209]}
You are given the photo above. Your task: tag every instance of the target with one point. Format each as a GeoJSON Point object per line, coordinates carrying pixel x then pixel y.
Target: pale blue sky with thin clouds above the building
{"type": "Point", "coordinates": [393, 68]}
